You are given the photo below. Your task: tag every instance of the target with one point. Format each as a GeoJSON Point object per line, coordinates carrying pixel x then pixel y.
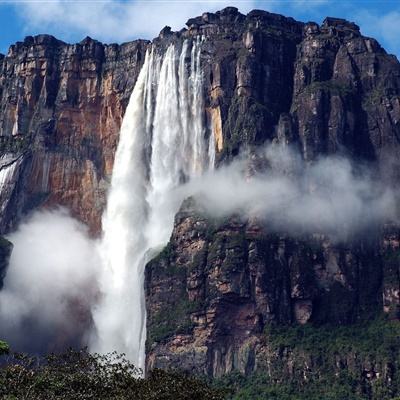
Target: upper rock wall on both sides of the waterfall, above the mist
{"type": "Point", "coordinates": [324, 88]}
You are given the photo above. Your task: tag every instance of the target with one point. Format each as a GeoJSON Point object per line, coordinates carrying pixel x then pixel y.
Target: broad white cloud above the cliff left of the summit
{"type": "Point", "coordinates": [114, 20]}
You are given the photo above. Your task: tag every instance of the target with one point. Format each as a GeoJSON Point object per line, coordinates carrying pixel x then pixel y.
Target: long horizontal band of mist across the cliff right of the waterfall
{"type": "Point", "coordinates": [330, 196]}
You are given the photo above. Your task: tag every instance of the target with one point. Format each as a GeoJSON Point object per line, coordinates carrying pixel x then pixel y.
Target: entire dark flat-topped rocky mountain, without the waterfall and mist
{"type": "Point", "coordinates": [229, 294]}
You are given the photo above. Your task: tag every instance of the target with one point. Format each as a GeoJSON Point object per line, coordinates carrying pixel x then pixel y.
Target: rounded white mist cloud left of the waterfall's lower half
{"type": "Point", "coordinates": [50, 284]}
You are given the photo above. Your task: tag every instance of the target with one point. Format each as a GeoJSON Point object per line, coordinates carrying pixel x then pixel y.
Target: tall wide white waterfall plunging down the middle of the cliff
{"type": "Point", "coordinates": [162, 144]}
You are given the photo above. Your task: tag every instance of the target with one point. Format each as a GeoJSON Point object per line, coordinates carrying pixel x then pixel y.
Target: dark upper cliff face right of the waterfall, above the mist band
{"type": "Point", "coordinates": [325, 88]}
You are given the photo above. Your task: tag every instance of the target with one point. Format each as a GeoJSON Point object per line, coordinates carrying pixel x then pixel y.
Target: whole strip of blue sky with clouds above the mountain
{"type": "Point", "coordinates": [123, 20]}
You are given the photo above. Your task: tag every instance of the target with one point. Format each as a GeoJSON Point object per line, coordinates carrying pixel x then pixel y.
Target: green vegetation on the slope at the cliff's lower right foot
{"type": "Point", "coordinates": [332, 358]}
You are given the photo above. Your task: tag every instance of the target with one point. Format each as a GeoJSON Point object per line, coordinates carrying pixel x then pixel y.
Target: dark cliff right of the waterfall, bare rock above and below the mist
{"type": "Point", "coordinates": [217, 287]}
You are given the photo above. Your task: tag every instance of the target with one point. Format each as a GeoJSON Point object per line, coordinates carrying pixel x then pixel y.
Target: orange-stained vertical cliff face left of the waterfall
{"type": "Point", "coordinates": [61, 108]}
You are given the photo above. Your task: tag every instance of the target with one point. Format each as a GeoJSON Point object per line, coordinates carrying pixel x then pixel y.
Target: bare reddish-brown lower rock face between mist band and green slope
{"type": "Point", "coordinates": [219, 285]}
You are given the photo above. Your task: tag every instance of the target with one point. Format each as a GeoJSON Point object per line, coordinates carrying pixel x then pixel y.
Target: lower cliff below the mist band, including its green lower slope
{"type": "Point", "coordinates": [226, 295]}
